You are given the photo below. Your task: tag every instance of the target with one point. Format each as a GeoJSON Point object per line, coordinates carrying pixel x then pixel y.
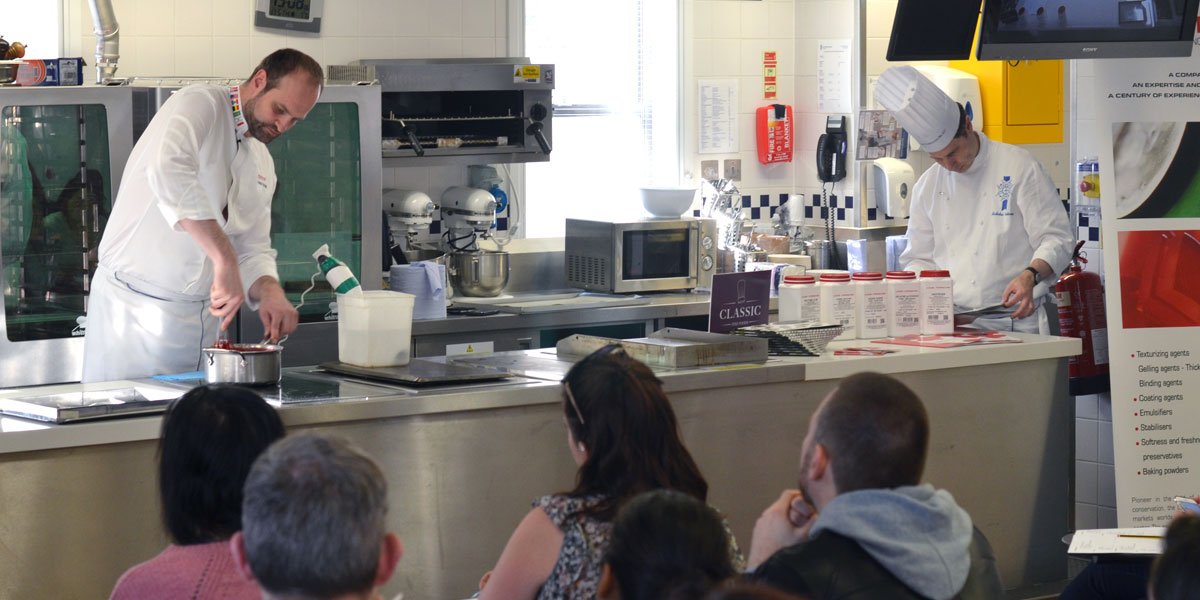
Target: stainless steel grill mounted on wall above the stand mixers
{"type": "Point", "coordinates": [461, 111]}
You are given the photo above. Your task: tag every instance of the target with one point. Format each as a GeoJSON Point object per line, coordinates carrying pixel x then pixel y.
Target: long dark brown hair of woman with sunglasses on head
{"type": "Point", "coordinates": [616, 407]}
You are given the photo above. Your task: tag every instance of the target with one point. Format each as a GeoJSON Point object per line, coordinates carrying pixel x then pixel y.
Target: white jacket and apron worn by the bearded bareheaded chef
{"type": "Point", "coordinates": [148, 309]}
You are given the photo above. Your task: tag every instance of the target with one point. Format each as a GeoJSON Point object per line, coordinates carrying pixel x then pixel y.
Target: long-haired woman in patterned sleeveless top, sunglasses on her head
{"type": "Point", "coordinates": [622, 434]}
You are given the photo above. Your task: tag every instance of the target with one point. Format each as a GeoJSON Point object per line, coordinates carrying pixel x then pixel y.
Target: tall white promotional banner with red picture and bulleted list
{"type": "Point", "coordinates": [1149, 128]}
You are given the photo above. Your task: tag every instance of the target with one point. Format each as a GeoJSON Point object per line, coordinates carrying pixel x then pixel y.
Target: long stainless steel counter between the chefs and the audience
{"type": "Point", "coordinates": [464, 463]}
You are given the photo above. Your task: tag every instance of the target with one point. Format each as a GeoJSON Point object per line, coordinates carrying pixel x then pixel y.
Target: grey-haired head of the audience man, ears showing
{"type": "Point", "coordinates": [313, 523]}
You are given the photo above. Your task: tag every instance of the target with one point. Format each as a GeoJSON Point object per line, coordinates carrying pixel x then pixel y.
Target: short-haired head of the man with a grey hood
{"type": "Point", "coordinates": [877, 431]}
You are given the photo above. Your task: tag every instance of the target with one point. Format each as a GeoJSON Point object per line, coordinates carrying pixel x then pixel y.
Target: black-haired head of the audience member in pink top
{"type": "Point", "coordinates": [211, 439]}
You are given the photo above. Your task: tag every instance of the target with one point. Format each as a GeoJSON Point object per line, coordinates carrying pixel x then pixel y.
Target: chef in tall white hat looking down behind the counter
{"type": "Point", "coordinates": [987, 212]}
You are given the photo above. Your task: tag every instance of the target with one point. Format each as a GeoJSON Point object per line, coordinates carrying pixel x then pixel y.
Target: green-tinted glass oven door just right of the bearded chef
{"type": "Point", "coordinates": [319, 201]}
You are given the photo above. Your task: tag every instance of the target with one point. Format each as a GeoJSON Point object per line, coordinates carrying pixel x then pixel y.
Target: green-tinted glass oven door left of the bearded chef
{"type": "Point", "coordinates": [56, 195]}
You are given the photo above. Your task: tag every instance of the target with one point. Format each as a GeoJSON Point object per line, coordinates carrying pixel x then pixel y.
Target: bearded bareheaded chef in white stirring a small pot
{"type": "Point", "coordinates": [189, 238]}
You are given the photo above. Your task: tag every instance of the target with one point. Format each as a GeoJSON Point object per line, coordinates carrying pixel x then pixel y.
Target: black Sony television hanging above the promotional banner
{"type": "Point", "coordinates": [1087, 29]}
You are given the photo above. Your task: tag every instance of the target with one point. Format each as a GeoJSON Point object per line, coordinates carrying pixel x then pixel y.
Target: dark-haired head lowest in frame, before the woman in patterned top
{"type": "Point", "coordinates": [665, 545]}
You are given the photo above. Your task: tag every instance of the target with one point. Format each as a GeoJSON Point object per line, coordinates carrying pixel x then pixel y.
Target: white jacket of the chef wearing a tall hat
{"type": "Point", "coordinates": [988, 224]}
